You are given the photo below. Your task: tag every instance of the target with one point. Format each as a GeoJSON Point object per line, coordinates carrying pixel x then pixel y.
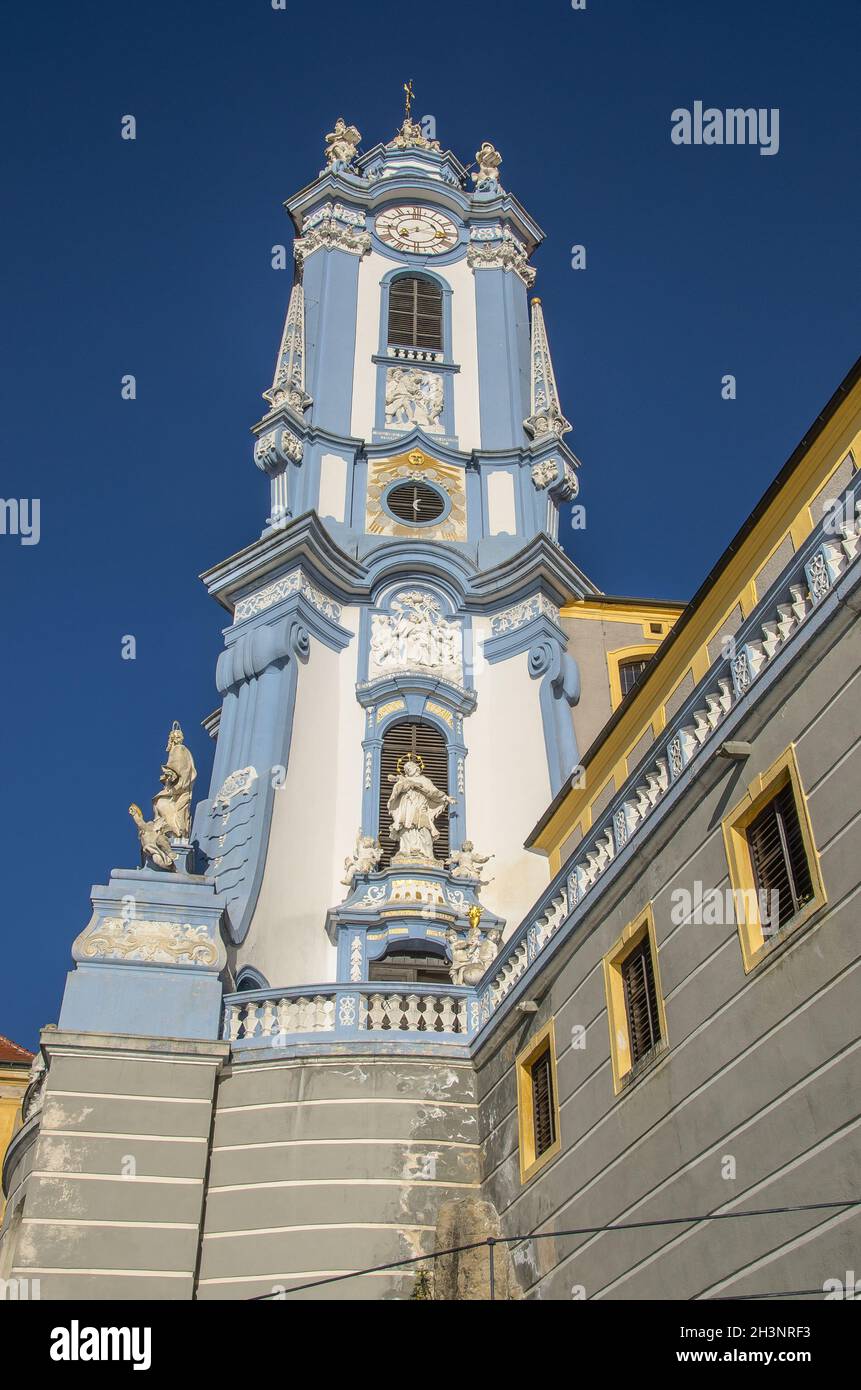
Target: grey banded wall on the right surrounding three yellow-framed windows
{"type": "Point", "coordinates": [762, 1067]}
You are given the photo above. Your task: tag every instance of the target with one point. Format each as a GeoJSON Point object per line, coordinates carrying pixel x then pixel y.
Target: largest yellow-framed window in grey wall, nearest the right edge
{"type": "Point", "coordinates": [773, 860]}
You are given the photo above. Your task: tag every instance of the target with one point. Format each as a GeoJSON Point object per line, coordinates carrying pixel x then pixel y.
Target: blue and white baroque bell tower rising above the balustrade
{"type": "Point", "coordinates": [408, 580]}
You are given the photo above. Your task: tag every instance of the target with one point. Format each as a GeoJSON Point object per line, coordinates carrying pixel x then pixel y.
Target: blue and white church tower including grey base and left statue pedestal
{"type": "Point", "coordinates": [400, 703]}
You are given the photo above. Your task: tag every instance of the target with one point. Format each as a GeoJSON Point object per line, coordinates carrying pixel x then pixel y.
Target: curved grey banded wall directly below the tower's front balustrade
{"type": "Point", "coordinates": [328, 1166]}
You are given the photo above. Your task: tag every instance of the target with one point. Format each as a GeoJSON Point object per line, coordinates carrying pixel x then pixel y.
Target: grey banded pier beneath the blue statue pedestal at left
{"type": "Point", "coordinates": [108, 1200]}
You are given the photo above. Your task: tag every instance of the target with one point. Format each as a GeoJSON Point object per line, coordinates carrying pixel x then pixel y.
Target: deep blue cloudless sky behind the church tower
{"type": "Point", "coordinates": [154, 258]}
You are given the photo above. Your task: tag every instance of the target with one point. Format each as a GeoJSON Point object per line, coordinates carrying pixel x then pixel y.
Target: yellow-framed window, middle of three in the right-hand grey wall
{"type": "Point", "coordinates": [635, 1004]}
